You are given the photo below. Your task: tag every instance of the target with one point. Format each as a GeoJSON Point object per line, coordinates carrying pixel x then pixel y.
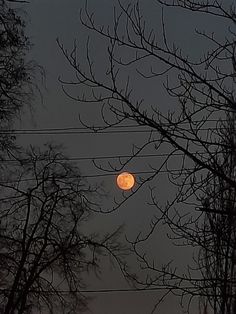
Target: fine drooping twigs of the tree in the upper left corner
{"type": "Point", "coordinates": [17, 81]}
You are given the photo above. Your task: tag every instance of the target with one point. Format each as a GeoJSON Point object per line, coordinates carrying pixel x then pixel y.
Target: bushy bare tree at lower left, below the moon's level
{"type": "Point", "coordinates": [44, 252]}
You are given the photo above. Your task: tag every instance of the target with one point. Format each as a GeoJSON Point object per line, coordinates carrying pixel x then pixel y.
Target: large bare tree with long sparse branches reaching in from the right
{"type": "Point", "coordinates": [199, 128]}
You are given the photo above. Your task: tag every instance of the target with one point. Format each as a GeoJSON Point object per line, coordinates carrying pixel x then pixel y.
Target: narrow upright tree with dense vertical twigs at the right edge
{"type": "Point", "coordinates": [217, 234]}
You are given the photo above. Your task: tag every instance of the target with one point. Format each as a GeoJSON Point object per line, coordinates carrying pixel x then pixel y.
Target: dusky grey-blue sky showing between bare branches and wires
{"type": "Point", "coordinates": [52, 19]}
